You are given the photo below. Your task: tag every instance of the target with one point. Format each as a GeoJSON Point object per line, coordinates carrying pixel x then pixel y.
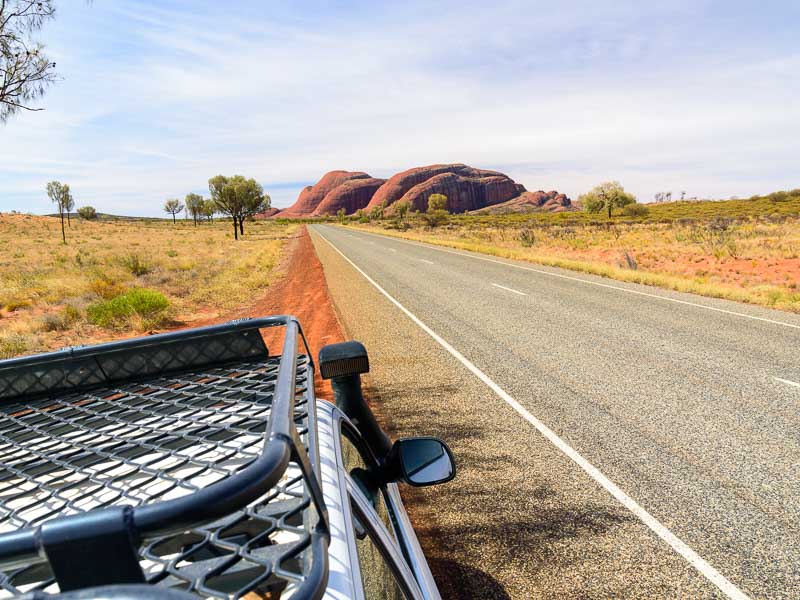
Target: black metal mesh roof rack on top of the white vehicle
{"type": "Point", "coordinates": [185, 460]}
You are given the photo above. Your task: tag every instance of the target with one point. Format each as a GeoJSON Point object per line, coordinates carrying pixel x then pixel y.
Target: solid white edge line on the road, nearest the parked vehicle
{"type": "Point", "coordinates": [698, 562]}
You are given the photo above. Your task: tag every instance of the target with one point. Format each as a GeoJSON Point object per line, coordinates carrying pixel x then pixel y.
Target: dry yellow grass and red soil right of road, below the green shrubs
{"type": "Point", "coordinates": [752, 260]}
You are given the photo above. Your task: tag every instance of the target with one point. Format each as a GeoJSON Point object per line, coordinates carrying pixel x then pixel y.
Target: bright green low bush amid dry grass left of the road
{"type": "Point", "coordinates": [138, 308]}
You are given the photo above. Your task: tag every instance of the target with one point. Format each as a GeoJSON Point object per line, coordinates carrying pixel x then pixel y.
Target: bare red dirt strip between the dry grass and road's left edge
{"type": "Point", "coordinates": [300, 290]}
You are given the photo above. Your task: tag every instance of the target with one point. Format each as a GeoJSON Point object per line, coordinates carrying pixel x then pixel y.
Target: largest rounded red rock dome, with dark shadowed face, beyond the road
{"type": "Point", "coordinates": [466, 188]}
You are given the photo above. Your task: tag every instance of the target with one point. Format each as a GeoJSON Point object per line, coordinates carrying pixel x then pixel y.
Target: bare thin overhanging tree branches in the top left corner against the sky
{"type": "Point", "coordinates": [25, 71]}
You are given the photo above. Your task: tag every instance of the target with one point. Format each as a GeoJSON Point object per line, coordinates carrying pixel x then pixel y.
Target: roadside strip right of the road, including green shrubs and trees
{"type": "Point", "coordinates": [743, 250]}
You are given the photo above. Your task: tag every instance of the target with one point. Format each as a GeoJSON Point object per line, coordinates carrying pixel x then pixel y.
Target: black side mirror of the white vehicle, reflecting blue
{"type": "Point", "coordinates": [422, 461]}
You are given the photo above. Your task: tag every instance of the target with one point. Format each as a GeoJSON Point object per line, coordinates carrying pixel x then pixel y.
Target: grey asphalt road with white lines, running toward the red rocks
{"type": "Point", "coordinates": [613, 439]}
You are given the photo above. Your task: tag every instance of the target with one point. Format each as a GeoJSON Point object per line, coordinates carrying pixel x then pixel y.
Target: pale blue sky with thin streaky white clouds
{"type": "Point", "coordinates": [157, 97]}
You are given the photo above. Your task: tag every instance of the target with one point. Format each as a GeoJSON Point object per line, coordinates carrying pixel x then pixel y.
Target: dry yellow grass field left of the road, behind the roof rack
{"type": "Point", "coordinates": [47, 288]}
